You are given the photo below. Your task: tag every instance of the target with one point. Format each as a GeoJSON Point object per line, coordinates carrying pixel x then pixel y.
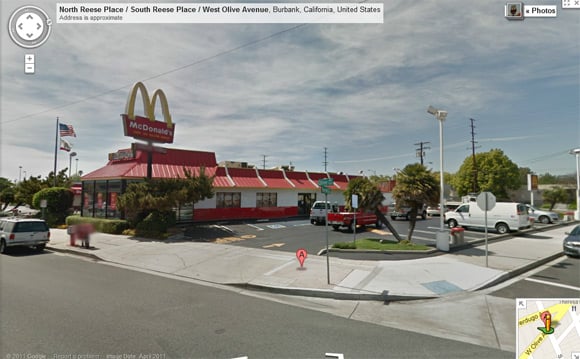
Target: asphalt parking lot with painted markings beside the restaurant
{"type": "Point", "coordinates": [290, 235]}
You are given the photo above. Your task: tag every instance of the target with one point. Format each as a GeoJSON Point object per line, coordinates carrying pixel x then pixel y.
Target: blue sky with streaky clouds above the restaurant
{"type": "Point", "coordinates": [360, 90]}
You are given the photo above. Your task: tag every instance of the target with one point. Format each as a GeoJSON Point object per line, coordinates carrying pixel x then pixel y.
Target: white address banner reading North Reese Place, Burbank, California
{"type": "Point", "coordinates": [215, 13]}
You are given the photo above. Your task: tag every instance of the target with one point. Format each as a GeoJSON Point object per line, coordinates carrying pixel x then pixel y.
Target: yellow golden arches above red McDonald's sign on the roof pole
{"type": "Point", "coordinates": [147, 128]}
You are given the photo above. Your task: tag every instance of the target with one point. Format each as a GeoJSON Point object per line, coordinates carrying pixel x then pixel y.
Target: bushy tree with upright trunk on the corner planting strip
{"type": "Point", "coordinates": [416, 186]}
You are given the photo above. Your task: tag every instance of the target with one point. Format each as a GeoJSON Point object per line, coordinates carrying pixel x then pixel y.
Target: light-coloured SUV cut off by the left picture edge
{"type": "Point", "coordinates": [29, 232]}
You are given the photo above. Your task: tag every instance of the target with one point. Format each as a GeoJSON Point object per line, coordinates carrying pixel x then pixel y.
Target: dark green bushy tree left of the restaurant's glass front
{"type": "Point", "coordinates": [58, 203]}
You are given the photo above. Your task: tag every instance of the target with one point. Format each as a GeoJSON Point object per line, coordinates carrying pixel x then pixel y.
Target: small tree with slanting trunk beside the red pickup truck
{"type": "Point", "coordinates": [370, 198]}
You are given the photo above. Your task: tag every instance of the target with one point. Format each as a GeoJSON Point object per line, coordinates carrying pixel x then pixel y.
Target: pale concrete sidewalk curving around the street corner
{"type": "Point", "coordinates": [276, 271]}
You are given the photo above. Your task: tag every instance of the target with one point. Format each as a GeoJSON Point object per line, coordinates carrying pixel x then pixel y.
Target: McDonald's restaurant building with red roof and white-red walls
{"type": "Point", "coordinates": [240, 191]}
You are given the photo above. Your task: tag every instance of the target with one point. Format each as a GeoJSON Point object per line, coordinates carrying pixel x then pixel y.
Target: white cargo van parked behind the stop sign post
{"type": "Point", "coordinates": [504, 217]}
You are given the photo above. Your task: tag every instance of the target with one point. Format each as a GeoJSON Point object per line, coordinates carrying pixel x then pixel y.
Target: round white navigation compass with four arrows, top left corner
{"type": "Point", "coordinates": [29, 26]}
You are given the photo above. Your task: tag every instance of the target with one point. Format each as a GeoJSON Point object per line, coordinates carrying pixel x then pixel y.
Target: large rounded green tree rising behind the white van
{"type": "Point", "coordinates": [496, 174]}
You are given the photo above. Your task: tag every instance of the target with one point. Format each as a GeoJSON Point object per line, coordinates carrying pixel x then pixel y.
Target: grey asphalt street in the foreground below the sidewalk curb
{"type": "Point", "coordinates": [57, 306]}
